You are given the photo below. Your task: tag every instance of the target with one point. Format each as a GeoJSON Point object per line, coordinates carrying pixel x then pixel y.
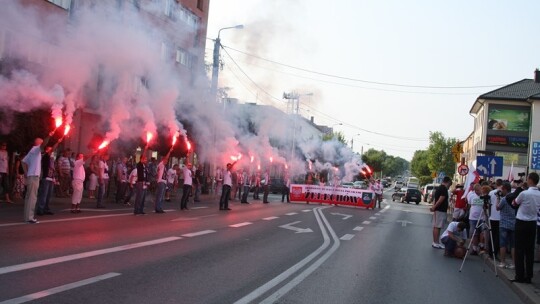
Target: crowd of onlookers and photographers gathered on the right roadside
{"type": "Point", "coordinates": [499, 218]}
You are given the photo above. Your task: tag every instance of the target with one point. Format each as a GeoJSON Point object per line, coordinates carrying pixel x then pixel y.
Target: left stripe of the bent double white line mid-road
{"type": "Point", "coordinates": [289, 272]}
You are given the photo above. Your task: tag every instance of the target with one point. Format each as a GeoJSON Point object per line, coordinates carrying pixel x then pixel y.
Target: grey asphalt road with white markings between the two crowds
{"type": "Point", "coordinates": [282, 253]}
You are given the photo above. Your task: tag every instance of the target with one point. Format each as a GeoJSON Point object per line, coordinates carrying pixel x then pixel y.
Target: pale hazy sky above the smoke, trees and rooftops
{"type": "Point", "coordinates": [384, 73]}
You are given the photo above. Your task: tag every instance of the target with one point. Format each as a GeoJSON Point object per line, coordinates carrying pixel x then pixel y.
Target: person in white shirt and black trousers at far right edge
{"type": "Point", "coordinates": [528, 203]}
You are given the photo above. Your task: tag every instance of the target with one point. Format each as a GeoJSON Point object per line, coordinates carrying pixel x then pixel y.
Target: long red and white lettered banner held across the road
{"type": "Point", "coordinates": [332, 195]}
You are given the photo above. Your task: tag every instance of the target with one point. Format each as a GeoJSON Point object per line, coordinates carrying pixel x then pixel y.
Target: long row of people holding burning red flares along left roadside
{"type": "Point", "coordinates": [45, 172]}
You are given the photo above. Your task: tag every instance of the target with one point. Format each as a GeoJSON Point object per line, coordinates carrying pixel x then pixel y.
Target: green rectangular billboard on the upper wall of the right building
{"type": "Point", "coordinates": [508, 118]}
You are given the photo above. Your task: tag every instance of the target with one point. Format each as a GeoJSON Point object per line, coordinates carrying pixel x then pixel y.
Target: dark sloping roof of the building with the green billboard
{"type": "Point", "coordinates": [522, 90]}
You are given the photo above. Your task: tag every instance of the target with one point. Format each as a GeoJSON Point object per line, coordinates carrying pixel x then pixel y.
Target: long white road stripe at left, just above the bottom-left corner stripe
{"type": "Point", "coordinates": [83, 255]}
